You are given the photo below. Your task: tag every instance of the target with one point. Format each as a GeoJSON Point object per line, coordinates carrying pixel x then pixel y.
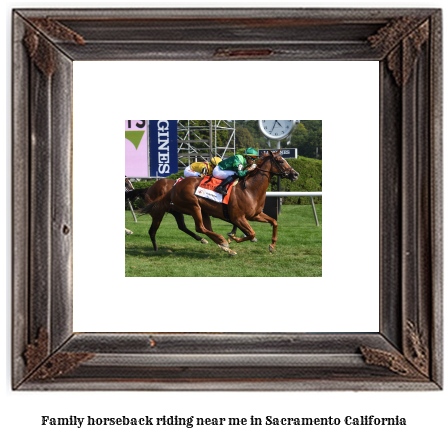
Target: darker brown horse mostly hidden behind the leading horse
{"type": "Point", "coordinates": [150, 194]}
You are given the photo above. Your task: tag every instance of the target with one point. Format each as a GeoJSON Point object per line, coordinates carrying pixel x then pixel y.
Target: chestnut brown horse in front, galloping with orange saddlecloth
{"type": "Point", "coordinates": [246, 201]}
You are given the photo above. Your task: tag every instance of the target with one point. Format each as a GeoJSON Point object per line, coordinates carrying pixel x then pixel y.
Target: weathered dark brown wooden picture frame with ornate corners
{"type": "Point", "coordinates": [406, 354]}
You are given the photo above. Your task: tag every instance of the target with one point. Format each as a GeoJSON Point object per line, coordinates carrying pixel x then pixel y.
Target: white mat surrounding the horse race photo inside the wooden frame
{"type": "Point", "coordinates": [345, 96]}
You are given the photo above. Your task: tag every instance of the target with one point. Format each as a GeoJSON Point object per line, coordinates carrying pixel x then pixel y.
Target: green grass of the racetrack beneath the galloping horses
{"type": "Point", "coordinates": [298, 251]}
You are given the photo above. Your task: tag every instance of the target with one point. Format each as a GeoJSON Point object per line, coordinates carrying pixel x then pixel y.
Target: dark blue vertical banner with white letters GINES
{"type": "Point", "coordinates": [162, 148]}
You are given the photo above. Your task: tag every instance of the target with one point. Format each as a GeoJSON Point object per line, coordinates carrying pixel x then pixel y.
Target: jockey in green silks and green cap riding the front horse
{"type": "Point", "coordinates": [234, 167]}
